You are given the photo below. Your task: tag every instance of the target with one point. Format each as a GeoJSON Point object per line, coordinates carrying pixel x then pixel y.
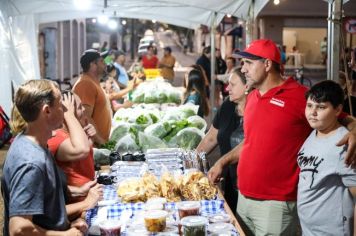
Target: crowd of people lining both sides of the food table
{"type": "Point", "coordinates": [288, 154]}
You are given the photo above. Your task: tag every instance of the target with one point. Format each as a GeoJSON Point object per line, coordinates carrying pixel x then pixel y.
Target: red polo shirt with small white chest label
{"type": "Point", "coordinates": [275, 128]}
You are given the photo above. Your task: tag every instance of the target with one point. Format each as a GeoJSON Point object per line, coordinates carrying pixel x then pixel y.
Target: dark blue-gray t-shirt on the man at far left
{"type": "Point", "coordinates": [31, 185]}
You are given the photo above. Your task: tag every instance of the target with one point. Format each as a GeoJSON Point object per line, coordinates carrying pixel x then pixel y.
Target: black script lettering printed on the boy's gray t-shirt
{"type": "Point", "coordinates": [309, 164]}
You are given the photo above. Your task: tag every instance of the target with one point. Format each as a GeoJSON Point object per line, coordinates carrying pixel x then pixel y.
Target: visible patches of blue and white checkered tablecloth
{"type": "Point", "coordinates": [208, 207]}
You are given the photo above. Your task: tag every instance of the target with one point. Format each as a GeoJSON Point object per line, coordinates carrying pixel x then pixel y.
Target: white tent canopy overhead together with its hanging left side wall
{"type": "Point", "coordinates": [19, 20]}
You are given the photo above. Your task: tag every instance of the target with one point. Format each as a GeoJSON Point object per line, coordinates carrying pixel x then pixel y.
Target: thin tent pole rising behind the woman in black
{"type": "Point", "coordinates": [212, 65]}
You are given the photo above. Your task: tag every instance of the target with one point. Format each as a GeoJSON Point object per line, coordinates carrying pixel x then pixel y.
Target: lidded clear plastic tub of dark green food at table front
{"type": "Point", "coordinates": [194, 226]}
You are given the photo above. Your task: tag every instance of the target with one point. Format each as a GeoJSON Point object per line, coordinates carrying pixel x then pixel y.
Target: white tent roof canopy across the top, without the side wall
{"type": "Point", "coordinates": [186, 12]}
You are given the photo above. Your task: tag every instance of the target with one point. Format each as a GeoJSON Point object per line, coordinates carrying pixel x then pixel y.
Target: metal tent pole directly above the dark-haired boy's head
{"type": "Point", "coordinates": [334, 19]}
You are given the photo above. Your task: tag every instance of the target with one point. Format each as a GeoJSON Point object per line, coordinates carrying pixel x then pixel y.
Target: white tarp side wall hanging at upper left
{"type": "Point", "coordinates": [18, 53]}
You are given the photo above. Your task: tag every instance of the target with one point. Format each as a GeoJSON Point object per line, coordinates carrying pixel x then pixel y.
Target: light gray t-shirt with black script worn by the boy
{"type": "Point", "coordinates": [325, 205]}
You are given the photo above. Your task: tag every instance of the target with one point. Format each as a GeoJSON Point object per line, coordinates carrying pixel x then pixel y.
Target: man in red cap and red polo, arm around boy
{"type": "Point", "coordinates": [275, 128]}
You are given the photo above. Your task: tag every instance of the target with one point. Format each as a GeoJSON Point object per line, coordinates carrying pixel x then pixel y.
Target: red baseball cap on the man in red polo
{"type": "Point", "coordinates": [261, 48]}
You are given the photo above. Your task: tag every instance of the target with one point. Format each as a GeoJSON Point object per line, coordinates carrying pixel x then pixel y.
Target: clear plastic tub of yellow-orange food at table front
{"type": "Point", "coordinates": [155, 220]}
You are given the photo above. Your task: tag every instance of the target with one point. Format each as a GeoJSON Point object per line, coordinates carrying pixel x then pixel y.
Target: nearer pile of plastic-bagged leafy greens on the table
{"type": "Point", "coordinates": [146, 127]}
